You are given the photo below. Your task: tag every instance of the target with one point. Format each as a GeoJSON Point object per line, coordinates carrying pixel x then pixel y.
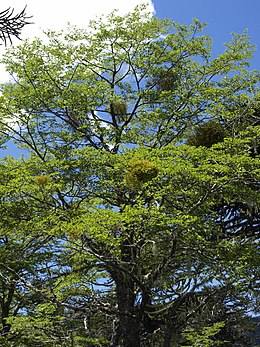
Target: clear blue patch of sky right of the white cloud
{"type": "Point", "coordinates": [222, 16]}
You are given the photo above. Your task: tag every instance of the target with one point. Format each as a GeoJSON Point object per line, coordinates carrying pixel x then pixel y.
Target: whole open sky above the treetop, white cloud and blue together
{"type": "Point", "coordinates": [223, 17]}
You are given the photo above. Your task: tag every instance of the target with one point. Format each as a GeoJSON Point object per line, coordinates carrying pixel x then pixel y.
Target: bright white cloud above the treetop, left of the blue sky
{"type": "Point", "coordinates": [55, 14]}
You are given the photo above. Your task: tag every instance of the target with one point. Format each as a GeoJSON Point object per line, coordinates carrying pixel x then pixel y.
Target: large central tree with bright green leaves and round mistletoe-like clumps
{"type": "Point", "coordinates": [133, 211]}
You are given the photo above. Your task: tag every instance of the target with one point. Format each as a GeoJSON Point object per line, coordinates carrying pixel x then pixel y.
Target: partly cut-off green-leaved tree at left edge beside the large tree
{"type": "Point", "coordinates": [27, 254]}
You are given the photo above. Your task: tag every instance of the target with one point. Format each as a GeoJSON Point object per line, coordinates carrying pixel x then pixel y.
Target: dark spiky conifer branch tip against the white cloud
{"type": "Point", "coordinates": [12, 25]}
